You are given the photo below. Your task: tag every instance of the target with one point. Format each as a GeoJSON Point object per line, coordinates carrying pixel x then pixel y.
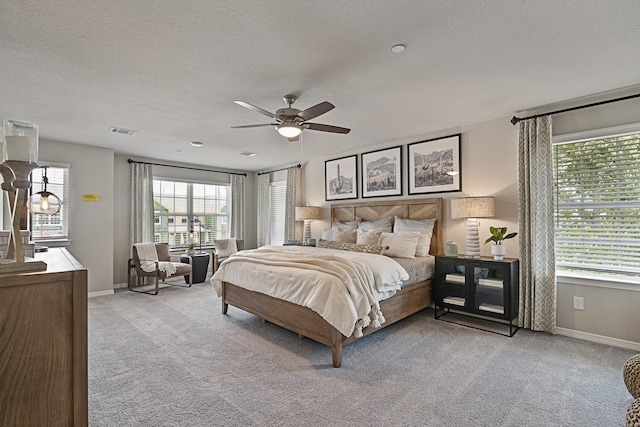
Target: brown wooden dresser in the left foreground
{"type": "Point", "coordinates": [43, 344]}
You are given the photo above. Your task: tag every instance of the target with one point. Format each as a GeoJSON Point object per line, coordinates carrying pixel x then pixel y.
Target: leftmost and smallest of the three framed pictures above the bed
{"type": "Point", "coordinates": [340, 178]}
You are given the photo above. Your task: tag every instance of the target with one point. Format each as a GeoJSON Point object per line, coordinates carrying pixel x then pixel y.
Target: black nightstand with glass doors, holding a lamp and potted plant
{"type": "Point", "coordinates": [478, 286]}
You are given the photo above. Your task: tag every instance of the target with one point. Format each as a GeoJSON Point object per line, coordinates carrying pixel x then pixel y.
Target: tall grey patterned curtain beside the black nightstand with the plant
{"type": "Point", "coordinates": [537, 306]}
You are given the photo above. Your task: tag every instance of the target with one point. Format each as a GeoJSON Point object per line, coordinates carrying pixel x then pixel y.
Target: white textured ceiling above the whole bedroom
{"type": "Point", "coordinates": [171, 70]}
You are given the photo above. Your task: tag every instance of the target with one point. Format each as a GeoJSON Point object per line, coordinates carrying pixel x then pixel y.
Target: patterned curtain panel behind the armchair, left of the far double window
{"type": "Point", "coordinates": [141, 223]}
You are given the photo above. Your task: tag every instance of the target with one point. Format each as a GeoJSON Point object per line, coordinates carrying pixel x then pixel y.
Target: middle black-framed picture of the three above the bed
{"type": "Point", "coordinates": [382, 172]}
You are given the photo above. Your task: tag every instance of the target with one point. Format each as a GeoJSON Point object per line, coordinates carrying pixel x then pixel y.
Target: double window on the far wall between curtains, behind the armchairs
{"type": "Point", "coordinates": [183, 207]}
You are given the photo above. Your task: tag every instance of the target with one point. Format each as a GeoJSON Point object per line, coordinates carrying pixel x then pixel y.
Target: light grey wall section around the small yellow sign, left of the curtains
{"type": "Point", "coordinates": [91, 223]}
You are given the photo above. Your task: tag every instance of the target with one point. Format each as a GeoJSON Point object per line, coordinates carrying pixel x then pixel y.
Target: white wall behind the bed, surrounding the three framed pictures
{"type": "Point", "coordinates": [489, 168]}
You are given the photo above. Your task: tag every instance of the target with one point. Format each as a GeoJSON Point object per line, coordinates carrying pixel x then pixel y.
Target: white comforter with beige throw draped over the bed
{"type": "Point", "coordinates": [343, 287]}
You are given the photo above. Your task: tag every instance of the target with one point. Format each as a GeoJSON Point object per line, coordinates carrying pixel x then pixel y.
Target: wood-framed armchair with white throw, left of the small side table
{"type": "Point", "coordinates": [159, 267]}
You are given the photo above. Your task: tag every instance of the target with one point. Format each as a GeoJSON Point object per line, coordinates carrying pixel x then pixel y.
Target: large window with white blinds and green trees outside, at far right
{"type": "Point", "coordinates": [597, 204]}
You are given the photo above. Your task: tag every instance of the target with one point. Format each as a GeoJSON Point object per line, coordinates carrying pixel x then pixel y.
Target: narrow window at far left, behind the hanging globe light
{"type": "Point", "coordinates": [48, 228]}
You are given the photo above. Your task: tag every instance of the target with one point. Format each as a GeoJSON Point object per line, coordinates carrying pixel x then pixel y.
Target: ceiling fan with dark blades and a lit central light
{"type": "Point", "coordinates": [290, 121]}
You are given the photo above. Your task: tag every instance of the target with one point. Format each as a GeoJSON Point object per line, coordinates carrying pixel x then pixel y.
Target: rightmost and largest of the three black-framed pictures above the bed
{"type": "Point", "coordinates": [434, 165]}
